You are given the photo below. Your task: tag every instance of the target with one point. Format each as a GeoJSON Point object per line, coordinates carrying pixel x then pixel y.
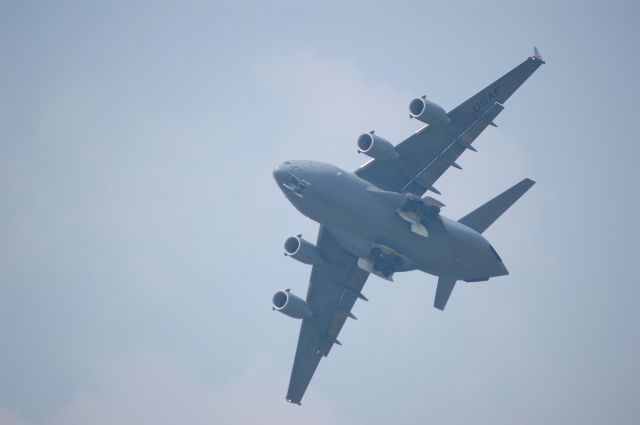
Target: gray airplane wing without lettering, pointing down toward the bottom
{"type": "Point", "coordinates": [334, 287]}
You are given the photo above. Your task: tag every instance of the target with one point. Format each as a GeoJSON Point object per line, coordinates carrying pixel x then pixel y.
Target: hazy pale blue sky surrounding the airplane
{"type": "Point", "coordinates": [141, 230]}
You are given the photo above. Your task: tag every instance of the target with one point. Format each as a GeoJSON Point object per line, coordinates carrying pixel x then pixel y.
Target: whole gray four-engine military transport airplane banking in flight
{"type": "Point", "coordinates": [377, 221]}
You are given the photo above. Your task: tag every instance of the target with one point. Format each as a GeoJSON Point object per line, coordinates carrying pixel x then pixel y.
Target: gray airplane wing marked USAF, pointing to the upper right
{"type": "Point", "coordinates": [427, 154]}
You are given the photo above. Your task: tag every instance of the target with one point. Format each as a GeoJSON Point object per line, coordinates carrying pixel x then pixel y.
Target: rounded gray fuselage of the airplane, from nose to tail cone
{"type": "Point", "coordinates": [360, 218]}
